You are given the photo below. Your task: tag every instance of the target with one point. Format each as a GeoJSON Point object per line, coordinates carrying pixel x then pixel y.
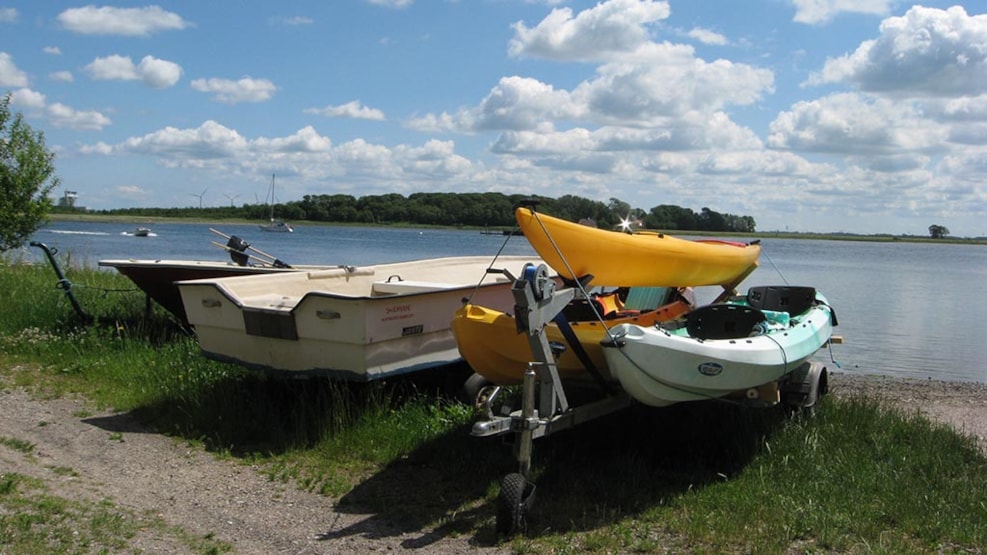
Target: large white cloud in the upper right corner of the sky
{"type": "Point", "coordinates": [926, 52]}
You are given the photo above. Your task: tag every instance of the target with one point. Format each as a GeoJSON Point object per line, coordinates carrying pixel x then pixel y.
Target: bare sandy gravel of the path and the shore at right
{"type": "Point", "coordinates": [116, 458]}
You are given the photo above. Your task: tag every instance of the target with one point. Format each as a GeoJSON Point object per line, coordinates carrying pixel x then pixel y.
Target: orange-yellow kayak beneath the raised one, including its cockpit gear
{"type": "Point", "coordinates": [489, 342]}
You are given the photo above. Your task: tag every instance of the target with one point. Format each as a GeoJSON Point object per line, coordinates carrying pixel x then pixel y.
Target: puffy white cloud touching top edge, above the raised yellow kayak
{"type": "Point", "coordinates": [610, 27]}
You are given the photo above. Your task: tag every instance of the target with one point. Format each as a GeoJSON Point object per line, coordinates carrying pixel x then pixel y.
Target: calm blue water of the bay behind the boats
{"type": "Point", "coordinates": [905, 309]}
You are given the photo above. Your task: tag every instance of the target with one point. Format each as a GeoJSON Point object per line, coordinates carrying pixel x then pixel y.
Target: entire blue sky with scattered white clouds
{"type": "Point", "coordinates": [865, 116]}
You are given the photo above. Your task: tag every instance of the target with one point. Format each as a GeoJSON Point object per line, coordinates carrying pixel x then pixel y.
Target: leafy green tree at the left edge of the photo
{"type": "Point", "coordinates": [26, 177]}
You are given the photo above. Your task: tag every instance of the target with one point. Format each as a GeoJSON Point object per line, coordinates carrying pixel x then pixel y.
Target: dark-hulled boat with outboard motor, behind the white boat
{"type": "Point", "coordinates": [156, 277]}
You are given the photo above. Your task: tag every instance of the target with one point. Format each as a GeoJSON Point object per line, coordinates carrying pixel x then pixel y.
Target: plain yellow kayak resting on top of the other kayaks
{"type": "Point", "coordinates": [639, 259]}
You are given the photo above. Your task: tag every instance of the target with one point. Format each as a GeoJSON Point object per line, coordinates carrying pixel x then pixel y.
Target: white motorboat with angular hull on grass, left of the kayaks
{"type": "Point", "coordinates": [356, 323]}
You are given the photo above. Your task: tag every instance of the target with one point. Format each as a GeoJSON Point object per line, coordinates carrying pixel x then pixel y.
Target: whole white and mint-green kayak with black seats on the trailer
{"type": "Point", "coordinates": [744, 346]}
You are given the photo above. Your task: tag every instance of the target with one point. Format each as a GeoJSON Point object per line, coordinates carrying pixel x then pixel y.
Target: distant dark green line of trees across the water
{"type": "Point", "coordinates": [456, 210]}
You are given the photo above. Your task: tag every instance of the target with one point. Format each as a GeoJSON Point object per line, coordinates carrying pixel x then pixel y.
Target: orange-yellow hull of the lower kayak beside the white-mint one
{"type": "Point", "coordinates": [489, 342]}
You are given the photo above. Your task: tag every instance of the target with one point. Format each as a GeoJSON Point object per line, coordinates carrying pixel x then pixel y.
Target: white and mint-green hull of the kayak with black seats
{"type": "Point", "coordinates": [659, 367]}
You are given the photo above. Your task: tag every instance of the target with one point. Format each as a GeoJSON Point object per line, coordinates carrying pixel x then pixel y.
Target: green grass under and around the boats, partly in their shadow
{"type": "Point", "coordinates": [698, 477]}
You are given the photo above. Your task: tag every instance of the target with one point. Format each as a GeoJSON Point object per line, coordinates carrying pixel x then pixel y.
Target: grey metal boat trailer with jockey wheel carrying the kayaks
{"type": "Point", "coordinates": [545, 407]}
